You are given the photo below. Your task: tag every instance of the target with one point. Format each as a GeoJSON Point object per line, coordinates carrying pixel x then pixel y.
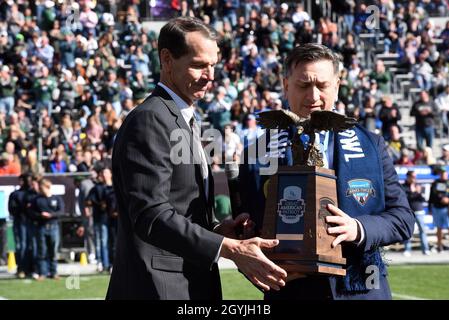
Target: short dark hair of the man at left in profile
{"type": "Point", "coordinates": [173, 35]}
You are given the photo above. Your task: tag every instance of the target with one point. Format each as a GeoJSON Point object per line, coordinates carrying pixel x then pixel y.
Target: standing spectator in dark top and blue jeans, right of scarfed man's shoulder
{"type": "Point", "coordinates": [424, 110]}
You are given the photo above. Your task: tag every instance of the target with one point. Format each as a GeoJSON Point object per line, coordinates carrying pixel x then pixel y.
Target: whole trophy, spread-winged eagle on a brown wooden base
{"type": "Point", "coordinates": [297, 197]}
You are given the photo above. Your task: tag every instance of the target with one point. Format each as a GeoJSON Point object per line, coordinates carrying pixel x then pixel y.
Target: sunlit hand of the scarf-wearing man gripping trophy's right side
{"type": "Point", "coordinates": [347, 229]}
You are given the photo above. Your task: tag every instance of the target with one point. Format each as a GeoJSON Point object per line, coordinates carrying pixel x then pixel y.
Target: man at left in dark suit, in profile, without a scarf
{"type": "Point", "coordinates": [168, 238]}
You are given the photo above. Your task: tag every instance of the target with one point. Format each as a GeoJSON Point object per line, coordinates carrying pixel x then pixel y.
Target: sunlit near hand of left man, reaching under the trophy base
{"type": "Point", "coordinates": [250, 260]}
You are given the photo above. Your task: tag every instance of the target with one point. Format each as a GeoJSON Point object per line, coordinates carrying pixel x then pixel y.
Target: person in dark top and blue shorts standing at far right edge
{"type": "Point", "coordinates": [438, 205]}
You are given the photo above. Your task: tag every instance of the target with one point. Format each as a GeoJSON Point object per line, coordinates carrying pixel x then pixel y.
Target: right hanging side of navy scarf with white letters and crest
{"type": "Point", "coordinates": [360, 190]}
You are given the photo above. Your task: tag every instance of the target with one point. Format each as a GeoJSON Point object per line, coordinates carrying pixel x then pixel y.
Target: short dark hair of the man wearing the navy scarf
{"type": "Point", "coordinates": [311, 52]}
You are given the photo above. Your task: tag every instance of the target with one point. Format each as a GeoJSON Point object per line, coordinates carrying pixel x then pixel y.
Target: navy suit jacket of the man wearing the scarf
{"type": "Point", "coordinates": [393, 225]}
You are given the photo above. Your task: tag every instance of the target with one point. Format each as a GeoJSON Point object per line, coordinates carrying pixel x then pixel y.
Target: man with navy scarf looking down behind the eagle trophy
{"type": "Point", "coordinates": [373, 209]}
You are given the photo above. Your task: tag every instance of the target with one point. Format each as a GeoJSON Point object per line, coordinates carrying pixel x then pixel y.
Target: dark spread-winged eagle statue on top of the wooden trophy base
{"type": "Point", "coordinates": [306, 152]}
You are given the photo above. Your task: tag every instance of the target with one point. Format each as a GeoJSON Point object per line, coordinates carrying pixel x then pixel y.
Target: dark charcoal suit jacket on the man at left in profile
{"type": "Point", "coordinates": [165, 247]}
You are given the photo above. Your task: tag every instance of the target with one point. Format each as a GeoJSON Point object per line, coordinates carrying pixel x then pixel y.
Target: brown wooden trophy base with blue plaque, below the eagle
{"type": "Point", "coordinates": [295, 211]}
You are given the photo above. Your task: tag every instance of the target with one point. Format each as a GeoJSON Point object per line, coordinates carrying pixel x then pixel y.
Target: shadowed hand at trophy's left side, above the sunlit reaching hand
{"type": "Point", "coordinates": [239, 228]}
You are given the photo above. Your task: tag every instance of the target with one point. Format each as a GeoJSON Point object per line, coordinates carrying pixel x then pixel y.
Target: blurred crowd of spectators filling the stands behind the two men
{"type": "Point", "coordinates": [67, 80]}
